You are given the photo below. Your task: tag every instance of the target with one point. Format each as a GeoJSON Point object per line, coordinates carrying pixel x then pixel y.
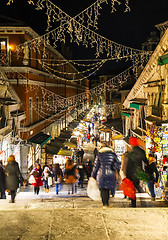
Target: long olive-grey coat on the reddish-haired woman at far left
{"type": "Point", "coordinates": [13, 176]}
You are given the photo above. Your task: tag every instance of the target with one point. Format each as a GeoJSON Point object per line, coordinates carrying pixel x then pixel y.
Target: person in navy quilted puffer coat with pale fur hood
{"type": "Point", "coordinates": [105, 171]}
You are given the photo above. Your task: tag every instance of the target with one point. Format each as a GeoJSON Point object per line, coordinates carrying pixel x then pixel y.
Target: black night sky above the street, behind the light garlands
{"type": "Point", "coordinates": [130, 28]}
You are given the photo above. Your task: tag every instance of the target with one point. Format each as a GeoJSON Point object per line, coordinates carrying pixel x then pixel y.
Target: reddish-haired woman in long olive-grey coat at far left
{"type": "Point", "coordinates": [13, 177]}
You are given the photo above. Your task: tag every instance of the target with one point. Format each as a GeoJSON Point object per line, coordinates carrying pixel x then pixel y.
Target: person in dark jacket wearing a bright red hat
{"type": "Point", "coordinates": [135, 165]}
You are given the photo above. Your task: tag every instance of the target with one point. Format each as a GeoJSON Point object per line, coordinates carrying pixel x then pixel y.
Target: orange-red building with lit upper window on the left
{"type": "Point", "coordinates": [38, 94]}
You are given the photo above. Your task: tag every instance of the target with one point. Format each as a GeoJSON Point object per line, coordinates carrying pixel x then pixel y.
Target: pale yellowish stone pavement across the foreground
{"type": "Point", "coordinates": [79, 217]}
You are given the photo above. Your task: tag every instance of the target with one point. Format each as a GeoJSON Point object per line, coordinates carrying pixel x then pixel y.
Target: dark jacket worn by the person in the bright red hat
{"type": "Point", "coordinates": [136, 163]}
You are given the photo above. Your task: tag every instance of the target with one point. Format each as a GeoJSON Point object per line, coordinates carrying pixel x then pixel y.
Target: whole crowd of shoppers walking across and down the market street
{"type": "Point", "coordinates": [135, 173]}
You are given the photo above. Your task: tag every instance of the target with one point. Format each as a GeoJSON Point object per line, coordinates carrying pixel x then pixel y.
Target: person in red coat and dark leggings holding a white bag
{"type": "Point", "coordinates": [37, 173]}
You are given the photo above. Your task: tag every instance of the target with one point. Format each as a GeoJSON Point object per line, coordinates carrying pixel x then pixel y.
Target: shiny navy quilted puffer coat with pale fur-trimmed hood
{"type": "Point", "coordinates": [104, 168]}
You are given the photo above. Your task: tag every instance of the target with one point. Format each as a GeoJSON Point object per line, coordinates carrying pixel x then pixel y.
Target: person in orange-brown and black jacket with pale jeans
{"type": "Point", "coordinates": [70, 175]}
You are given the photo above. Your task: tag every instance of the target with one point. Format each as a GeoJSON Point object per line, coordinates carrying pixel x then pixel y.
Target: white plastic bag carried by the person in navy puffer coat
{"type": "Point", "coordinates": [92, 190]}
